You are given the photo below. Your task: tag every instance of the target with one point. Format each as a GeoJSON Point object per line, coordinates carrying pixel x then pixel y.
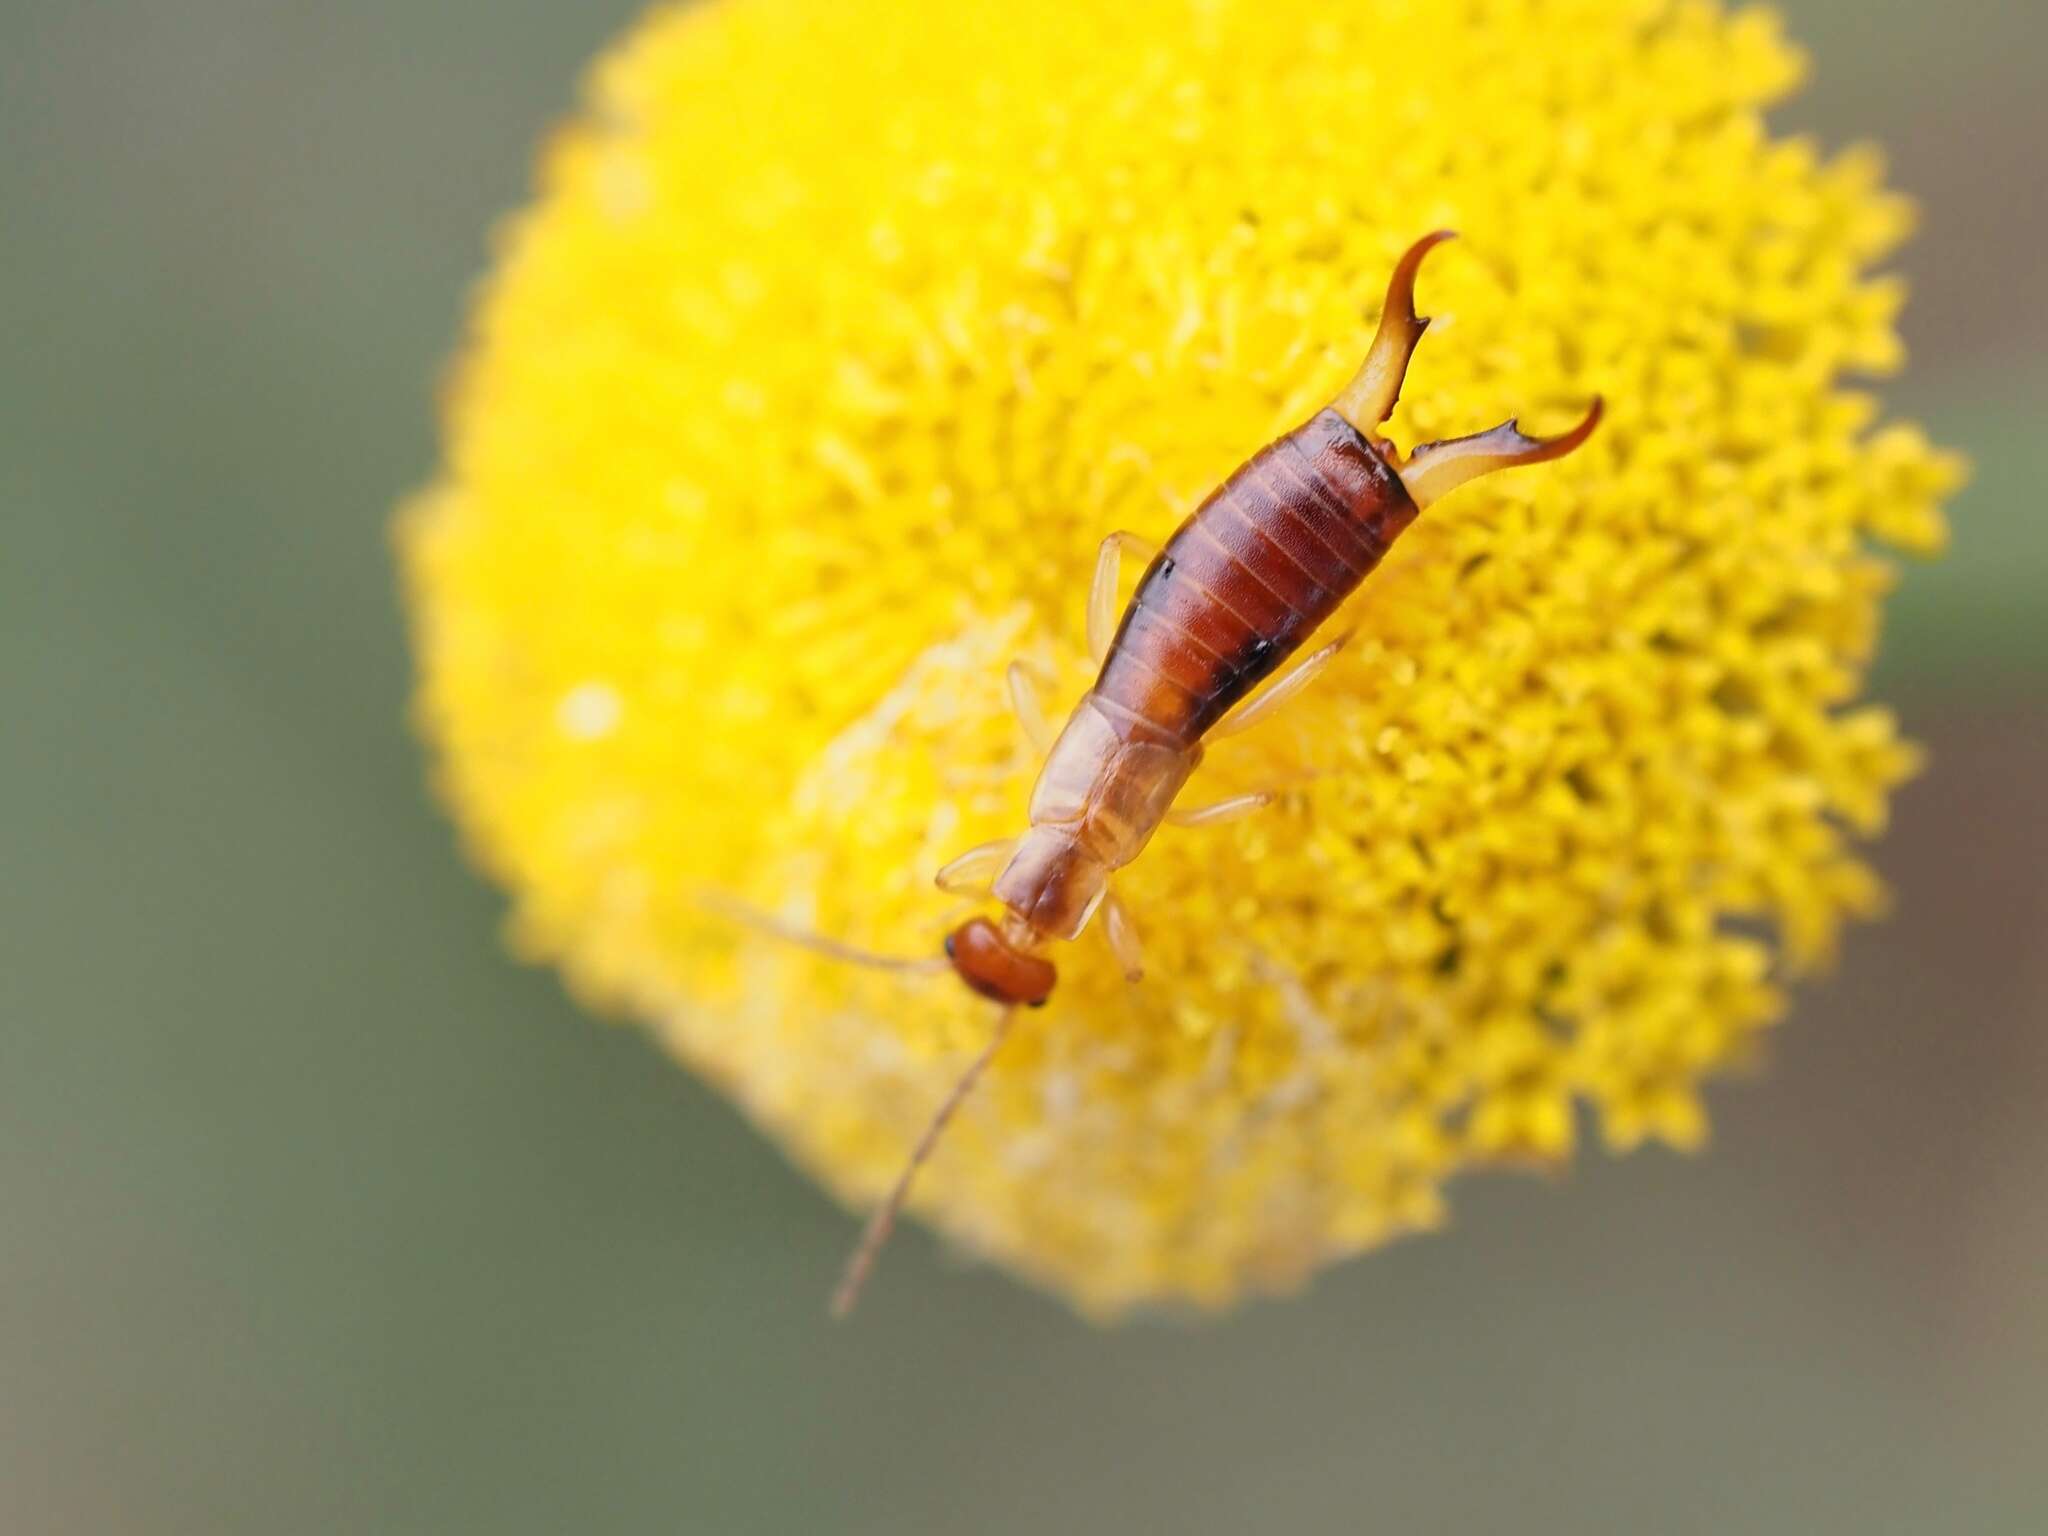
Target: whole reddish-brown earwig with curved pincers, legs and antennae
{"type": "Point", "coordinates": [1238, 589]}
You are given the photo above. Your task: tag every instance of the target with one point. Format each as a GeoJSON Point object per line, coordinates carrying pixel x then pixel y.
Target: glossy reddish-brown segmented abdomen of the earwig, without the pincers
{"type": "Point", "coordinates": [1250, 577]}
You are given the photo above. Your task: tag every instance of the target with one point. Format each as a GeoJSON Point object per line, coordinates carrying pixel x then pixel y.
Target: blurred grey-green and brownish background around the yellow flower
{"type": "Point", "coordinates": [318, 1215]}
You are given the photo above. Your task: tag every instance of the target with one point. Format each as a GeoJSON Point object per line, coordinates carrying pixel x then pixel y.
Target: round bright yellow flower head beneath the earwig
{"type": "Point", "coordinates": [841, 335]}
